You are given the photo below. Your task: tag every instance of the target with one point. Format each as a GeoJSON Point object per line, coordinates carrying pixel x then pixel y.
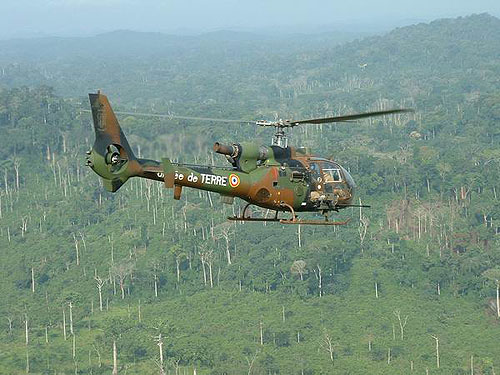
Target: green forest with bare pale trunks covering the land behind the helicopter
{"type": "Point", "coordinates": [373, 297]}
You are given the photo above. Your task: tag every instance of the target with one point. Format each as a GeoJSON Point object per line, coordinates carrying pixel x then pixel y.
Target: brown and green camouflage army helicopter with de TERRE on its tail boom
{"type": "Point", "coordinates": [279, 178]}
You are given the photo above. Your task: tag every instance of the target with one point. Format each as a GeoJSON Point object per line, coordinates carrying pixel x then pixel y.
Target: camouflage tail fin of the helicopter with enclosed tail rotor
{"type": "Point", "coordinates": [111, 156]}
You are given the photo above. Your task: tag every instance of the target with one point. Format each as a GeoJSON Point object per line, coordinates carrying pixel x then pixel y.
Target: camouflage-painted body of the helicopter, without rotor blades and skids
{"type": "Point", "coordinates": [267, 176]}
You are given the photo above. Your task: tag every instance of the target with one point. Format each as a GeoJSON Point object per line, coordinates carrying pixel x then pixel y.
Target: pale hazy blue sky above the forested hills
{"type": "Point", "coordinates": [77, 17]}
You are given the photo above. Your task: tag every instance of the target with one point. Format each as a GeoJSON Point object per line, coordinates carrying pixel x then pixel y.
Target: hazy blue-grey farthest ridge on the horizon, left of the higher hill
{"type": "Point", "coordinates": [125, 43]}
